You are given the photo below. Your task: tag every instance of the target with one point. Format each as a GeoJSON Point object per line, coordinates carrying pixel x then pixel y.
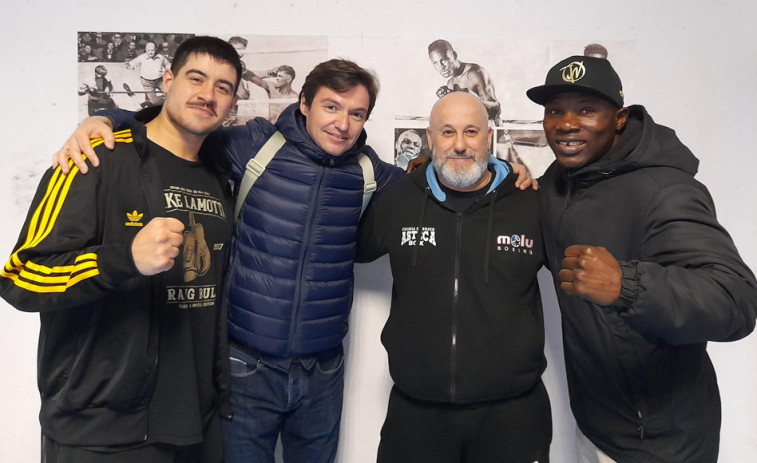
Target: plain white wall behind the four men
{"type": "Point", "coordinates": [694, 68]}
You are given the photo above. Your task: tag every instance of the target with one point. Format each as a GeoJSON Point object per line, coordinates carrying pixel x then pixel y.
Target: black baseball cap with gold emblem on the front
{"type": "Point", "coordinates": [583, 74]}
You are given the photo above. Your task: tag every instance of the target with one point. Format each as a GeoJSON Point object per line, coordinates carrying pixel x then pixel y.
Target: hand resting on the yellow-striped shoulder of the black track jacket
{"type": "Point", "coordinates": [78, 144]}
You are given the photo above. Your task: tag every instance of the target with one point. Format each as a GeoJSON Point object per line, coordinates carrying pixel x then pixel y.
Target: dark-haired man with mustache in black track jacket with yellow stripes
{"type": "Point", "coordinates": [133, 352]}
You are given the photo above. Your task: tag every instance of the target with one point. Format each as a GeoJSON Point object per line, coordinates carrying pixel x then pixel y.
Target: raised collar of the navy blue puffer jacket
{"type": "Point", "coordinates": [293, 125]}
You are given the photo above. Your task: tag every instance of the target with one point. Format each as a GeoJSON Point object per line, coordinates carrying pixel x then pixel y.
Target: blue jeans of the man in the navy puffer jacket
{"type": "Point", "coordinates": [303, 404]}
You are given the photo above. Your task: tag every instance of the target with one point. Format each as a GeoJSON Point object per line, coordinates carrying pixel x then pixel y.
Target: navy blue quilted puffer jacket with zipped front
{"type": "Point", "coordinates": [290, 280]}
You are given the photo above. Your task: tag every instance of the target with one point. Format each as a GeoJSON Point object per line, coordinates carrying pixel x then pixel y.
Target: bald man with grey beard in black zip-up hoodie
{"type": "Point", "coordinates": [465, 335]}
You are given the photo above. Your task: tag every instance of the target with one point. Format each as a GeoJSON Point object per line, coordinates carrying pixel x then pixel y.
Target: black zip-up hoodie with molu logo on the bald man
{"type": "Point", "coordinates": [466, 322]}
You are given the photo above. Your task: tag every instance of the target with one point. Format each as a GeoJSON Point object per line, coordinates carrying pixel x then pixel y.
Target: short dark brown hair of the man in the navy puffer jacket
{"type": "Point", "coordinates": [339, 75]}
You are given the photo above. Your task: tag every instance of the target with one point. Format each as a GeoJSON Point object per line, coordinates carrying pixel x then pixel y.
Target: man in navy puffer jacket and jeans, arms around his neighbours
{"type": "Point", "coordinates": [291, 275]}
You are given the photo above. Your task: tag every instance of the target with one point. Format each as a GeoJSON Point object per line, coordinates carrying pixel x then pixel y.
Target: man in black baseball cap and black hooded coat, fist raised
{"type": "Point", "coordinates": [645, 275]}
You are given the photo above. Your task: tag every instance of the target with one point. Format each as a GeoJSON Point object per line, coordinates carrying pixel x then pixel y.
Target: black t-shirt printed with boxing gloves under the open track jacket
{"type": "Point", "coordinates": [185, 393]}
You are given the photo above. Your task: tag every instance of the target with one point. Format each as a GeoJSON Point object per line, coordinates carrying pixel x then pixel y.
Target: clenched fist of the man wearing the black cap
{"type": "Point", "coordinates": [591, 273]}
